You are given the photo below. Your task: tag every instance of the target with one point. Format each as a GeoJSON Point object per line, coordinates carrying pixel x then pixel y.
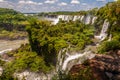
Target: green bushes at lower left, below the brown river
{"type": "Point", "coordinates": [24, 59]}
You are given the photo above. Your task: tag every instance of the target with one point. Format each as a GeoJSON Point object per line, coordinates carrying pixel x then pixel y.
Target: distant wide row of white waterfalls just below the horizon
{"type": "Point", "coordinates": [82, 18]}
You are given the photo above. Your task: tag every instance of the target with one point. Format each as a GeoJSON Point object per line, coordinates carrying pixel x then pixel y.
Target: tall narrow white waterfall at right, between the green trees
{"type": "Point", "coordinates": [103, 33]}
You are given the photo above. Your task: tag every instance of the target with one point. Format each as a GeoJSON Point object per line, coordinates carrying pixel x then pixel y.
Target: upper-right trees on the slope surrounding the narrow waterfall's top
{"type": "Point", "coordinates": [110, 12]}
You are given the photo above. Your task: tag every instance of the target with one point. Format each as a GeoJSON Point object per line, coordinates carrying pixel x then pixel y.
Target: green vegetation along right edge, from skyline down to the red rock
{"type": "Point", "coordinates": [111, 12]}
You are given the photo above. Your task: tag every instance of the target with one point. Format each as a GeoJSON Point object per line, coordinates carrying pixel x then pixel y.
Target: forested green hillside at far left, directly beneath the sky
{"type": "Point", "coordinates": [10, 19]}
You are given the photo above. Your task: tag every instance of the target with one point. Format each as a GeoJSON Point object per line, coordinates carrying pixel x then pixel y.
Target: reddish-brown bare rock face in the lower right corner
{"type": "Point", "coordinates": [101, 67]}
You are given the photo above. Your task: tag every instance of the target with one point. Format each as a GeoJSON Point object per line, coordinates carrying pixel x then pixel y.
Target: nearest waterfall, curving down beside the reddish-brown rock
{"type": "Point", "coordinates": [65, 58]}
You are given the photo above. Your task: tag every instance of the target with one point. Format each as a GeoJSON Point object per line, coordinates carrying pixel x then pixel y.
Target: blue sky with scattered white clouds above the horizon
{"type": "Point", "coordinates": [27, 6]}
